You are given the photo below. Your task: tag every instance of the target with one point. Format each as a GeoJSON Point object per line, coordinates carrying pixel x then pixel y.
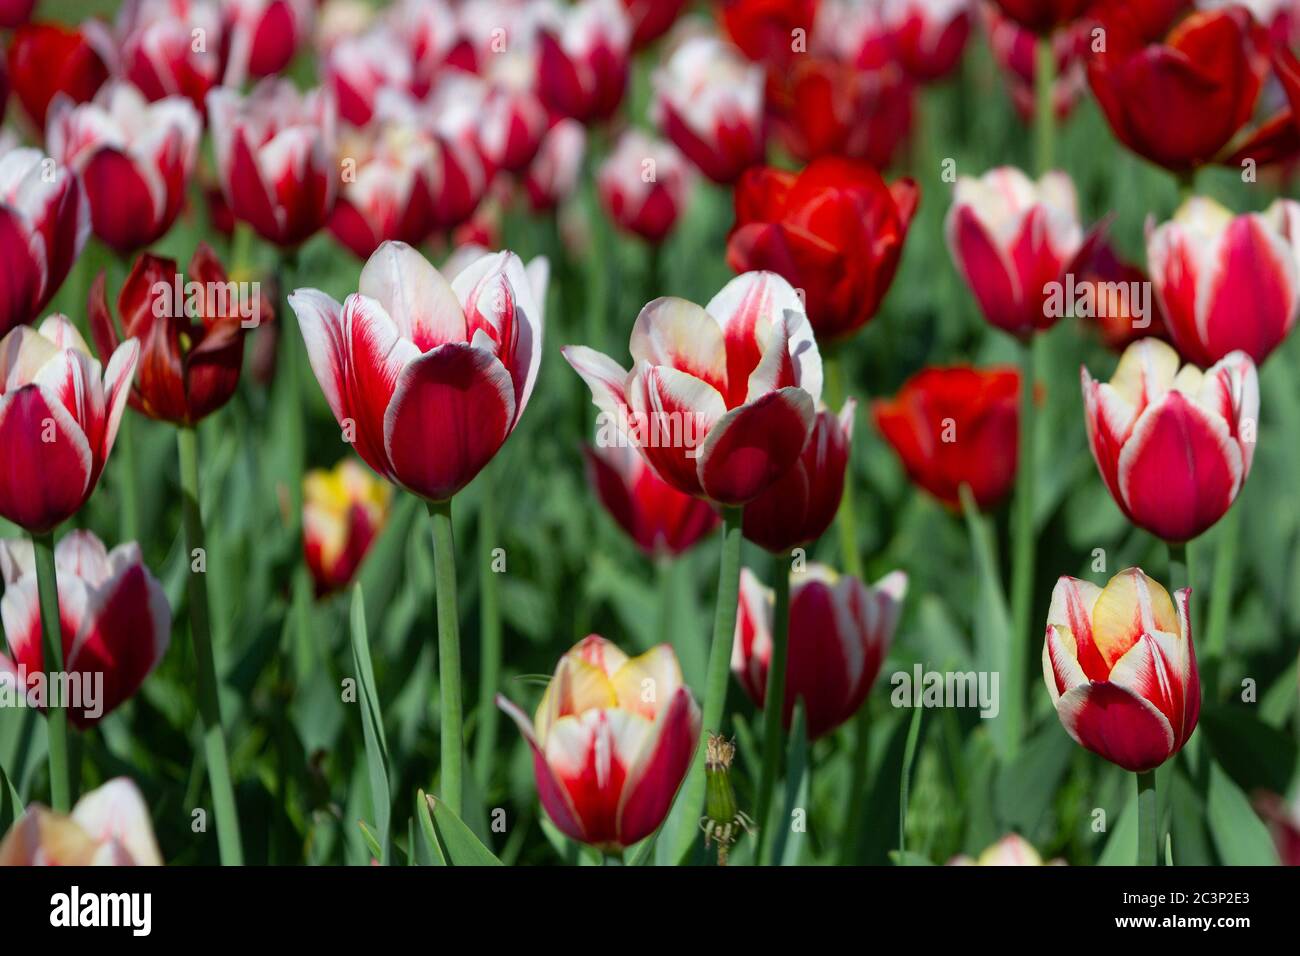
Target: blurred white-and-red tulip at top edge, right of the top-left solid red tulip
{"type": "Point", "coordinates": [159, 49]}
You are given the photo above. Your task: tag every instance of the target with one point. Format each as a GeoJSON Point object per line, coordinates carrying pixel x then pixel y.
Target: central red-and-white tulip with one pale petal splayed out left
{"type": "Point", "coordinates": [721, 400]}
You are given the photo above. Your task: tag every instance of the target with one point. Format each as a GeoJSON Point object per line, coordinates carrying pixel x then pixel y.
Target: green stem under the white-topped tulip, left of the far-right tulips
{"type": "Point", "coordinates": [1025, 539]}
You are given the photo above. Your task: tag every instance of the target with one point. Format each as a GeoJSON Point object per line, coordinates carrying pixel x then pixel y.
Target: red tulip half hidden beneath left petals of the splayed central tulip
{"type": "Point", "coordinates": [656, 516]}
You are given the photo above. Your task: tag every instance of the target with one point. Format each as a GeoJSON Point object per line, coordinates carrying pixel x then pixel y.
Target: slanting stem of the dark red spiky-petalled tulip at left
{"type": "Point", "coordinates": [210, 700]}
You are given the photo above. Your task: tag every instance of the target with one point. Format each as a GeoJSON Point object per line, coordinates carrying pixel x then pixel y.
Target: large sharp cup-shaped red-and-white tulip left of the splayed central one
{"type": "Point", "coordinates": [428, 378]}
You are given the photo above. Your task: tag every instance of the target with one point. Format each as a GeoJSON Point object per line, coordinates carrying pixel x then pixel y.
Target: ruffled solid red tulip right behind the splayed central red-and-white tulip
{"type": "Point", "coordinates": [834, 231]}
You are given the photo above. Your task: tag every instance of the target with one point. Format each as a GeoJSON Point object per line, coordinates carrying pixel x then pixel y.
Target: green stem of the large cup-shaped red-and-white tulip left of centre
{"type": "Point", "coordinates": [449, 655]}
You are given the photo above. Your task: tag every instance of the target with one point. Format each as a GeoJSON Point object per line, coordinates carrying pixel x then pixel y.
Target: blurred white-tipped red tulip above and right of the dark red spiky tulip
{"type": "Point", "coordinates": [276, 158]}
